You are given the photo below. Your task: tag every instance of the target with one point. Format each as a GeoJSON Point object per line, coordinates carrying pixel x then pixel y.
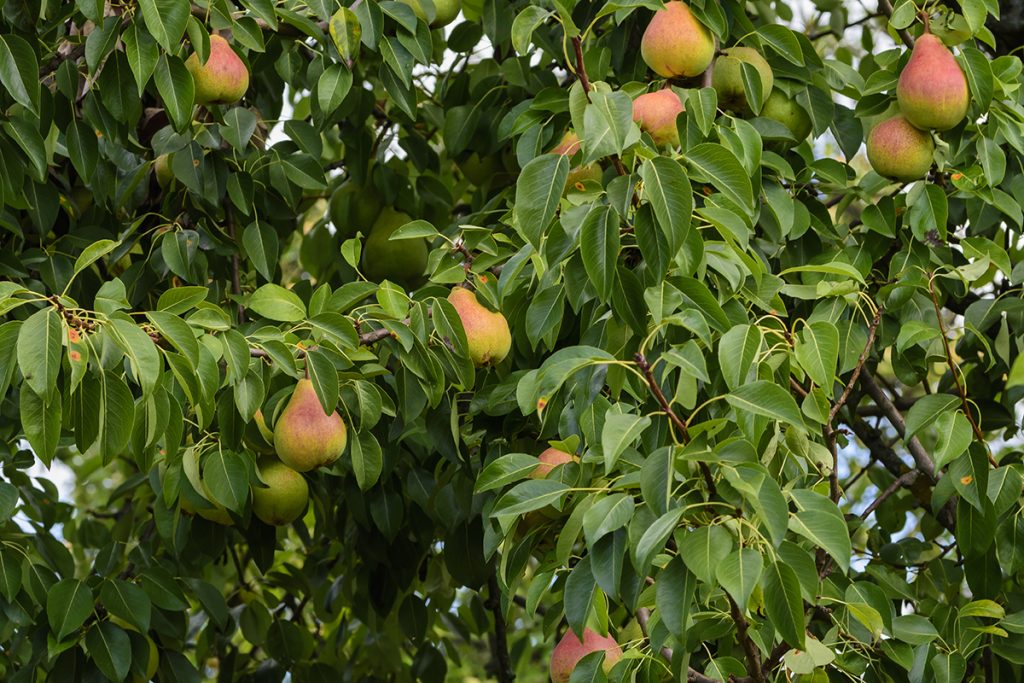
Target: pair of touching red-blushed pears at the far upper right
{"type": "Point", "coordinates": [933, 95]}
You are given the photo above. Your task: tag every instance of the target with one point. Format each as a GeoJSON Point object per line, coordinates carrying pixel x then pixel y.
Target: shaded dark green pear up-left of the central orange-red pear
{"type": "Point", "coordinates": [402, 262]}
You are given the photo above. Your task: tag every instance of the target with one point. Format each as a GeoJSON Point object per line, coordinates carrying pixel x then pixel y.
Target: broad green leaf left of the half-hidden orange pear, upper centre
{"type": "Point", "coordinates": [537, 195]}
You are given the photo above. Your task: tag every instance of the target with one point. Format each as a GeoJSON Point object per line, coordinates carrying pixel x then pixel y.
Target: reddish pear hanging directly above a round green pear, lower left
{"type": "Point", "coordinates": [305, 437]}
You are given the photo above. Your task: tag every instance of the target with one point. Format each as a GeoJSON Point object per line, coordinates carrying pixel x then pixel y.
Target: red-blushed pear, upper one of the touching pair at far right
{"type": "Point", "coordinates": [932, 90]}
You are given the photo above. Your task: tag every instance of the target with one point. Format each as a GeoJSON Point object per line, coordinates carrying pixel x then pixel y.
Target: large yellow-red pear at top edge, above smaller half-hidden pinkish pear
{"type": "Point", "coordinates": [676, 44]}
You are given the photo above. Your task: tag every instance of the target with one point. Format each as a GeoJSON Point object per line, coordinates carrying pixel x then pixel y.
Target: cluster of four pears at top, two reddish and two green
{"type": "Point", "coordinates": [676, 45]}
